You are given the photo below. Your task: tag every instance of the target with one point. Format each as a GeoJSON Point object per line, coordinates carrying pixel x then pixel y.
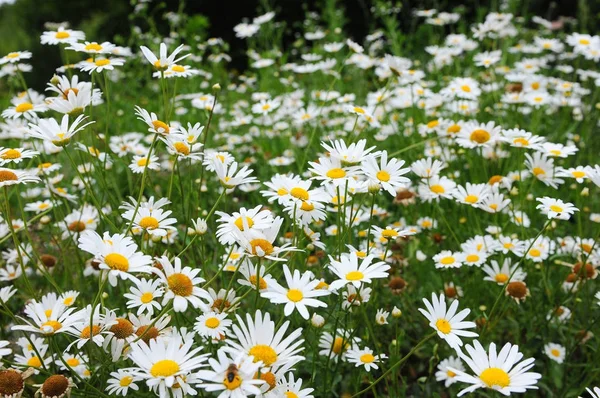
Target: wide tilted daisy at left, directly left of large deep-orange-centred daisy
{"type": "Point", "coordinates": [116, 253]}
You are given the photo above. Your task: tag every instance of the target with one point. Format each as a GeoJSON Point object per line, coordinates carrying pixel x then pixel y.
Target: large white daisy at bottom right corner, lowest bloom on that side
{"type": "Point", "coordinates": [504, 372]}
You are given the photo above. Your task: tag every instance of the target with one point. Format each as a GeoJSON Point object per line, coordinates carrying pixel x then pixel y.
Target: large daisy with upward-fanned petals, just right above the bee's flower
{"type": "Point", "coordinates": [258, 338]}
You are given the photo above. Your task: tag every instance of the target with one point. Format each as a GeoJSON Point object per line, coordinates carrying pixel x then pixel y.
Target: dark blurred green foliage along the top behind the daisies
{"type": "Point", "coordinates": [22, 21]}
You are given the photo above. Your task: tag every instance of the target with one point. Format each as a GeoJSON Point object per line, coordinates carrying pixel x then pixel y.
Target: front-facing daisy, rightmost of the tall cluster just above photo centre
{"type": "Point", "coordinates": [388, 175]}
